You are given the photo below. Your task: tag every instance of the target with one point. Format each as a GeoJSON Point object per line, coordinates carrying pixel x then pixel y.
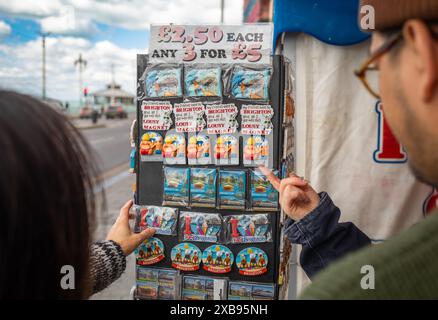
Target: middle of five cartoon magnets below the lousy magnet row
{"type": "Point", "coordinates": [199, 149]}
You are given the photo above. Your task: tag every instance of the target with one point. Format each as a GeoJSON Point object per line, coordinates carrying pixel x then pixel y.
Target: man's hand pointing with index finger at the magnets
{"type": "Point", "coordinates": [297, 198]}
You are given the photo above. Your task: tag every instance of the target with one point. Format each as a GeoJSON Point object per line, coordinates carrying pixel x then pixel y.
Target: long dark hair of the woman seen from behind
{"type": "Point", "coordinates": [46, 200]}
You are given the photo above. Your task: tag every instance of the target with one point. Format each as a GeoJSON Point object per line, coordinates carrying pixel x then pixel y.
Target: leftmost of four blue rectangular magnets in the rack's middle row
{"type": "Point", "coordinates": [176, 186]}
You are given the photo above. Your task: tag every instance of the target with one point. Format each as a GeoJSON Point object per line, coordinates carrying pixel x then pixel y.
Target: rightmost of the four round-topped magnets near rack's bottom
{"type": "Point", "coordinates": [252, 262]}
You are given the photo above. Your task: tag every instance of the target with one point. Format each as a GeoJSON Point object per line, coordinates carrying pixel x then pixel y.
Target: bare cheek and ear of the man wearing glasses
{"type": "Point", "coordinates": [405, 81]}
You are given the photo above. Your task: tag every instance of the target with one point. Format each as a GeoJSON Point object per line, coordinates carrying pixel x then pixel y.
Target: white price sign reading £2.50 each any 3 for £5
{"type": "Point", "coordinates": [251, 43]}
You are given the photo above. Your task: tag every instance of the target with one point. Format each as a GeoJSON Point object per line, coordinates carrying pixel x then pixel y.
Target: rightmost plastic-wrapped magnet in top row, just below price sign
{"type": "Point", "coordinates": [250, 83]}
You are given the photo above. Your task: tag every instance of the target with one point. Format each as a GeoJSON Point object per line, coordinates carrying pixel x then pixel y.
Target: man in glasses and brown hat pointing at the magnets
{"type": "Point", "coordinates": [402, 71]}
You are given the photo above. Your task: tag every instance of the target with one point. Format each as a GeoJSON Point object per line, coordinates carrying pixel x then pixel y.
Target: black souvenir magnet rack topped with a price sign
{"type": "Point", "coordinates": [211, 109]}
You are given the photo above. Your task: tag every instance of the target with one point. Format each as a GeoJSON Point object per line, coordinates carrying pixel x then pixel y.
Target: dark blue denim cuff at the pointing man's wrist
{"type": "Point", "coordinates": [323, 237]}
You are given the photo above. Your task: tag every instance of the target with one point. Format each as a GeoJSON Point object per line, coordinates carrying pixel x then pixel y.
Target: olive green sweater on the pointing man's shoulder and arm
{"type": "Point", "coordinates": [406, 267]}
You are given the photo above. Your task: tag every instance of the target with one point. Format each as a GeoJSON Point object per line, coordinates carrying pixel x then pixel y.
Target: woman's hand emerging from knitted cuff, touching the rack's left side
{"type": "Point", "coordinates": [122, 234]}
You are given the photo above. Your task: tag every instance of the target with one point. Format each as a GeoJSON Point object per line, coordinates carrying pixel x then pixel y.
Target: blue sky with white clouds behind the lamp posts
{"type": "Point", "coordinates": [104, 32]}
